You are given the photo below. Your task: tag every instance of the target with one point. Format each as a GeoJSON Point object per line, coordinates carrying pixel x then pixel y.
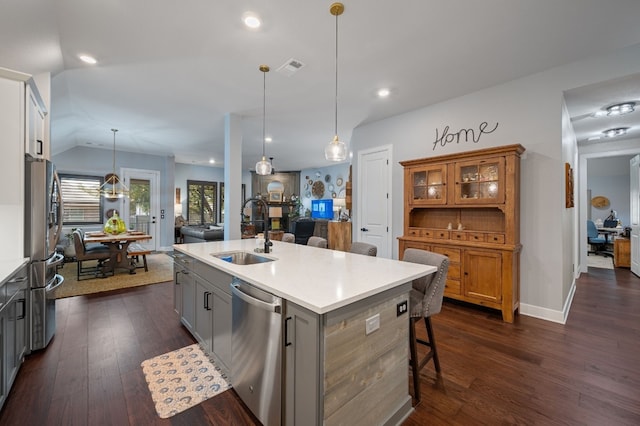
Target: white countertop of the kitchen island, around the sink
{"type": "Point", "coordinates": [320, 280]}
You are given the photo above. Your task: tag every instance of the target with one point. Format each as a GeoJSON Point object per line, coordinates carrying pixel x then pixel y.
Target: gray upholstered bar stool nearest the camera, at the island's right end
{"type": "Point", "coordinates": [425, 300]}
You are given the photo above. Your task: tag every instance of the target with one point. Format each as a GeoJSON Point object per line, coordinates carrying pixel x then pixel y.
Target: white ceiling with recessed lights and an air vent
{"type": "Point", "coordinates": [169, 71]}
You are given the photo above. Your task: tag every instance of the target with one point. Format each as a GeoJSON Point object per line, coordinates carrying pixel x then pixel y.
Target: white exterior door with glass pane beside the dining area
{"type": "Point", "coordinates": [141, 210]}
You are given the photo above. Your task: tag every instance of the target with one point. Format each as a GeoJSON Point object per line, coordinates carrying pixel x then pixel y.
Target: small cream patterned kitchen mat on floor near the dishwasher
{"type": "Point", "coordinates": [180, 379]}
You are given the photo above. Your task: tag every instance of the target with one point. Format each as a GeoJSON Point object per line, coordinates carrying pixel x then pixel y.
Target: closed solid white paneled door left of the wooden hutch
{"type": "Point", "coordinates": [374, 199]}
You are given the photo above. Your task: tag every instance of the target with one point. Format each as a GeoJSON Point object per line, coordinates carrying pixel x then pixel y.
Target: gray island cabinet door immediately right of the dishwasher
{"type": "Point", "coordinates": [302, 366]}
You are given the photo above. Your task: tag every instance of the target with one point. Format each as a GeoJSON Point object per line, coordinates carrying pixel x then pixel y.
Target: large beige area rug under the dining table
{"type": "Point", "coordinates": [160, 270]}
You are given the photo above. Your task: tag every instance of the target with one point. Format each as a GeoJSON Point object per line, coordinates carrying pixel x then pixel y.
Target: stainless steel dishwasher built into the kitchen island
{"type": "Point", "coordinates": [256, 371]}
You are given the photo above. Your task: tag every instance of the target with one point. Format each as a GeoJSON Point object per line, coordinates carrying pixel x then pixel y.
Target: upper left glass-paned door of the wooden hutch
{"type": "Point", "coordinates": [427, 185]}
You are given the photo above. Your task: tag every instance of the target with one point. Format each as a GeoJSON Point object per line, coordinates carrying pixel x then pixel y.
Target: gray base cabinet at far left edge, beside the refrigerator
{"type": "Point", "coordinates": [13, 309]}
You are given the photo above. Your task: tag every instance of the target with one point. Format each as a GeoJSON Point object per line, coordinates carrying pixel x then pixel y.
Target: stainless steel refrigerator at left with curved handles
{"type": "Point", "coordinates": [43, 225]}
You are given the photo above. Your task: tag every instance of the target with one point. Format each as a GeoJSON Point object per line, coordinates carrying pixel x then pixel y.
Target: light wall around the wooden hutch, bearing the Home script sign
{"type": "Point", "coordinates": [529, 112]}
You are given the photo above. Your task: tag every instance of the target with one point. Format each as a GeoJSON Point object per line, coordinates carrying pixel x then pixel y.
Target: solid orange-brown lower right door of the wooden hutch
{"type": "Point", "coordinates": [483, 275]}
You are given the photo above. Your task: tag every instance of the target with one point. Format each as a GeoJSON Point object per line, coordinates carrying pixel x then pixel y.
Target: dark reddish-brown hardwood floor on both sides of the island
{"type": "Point", "coordinates": [532, 372]}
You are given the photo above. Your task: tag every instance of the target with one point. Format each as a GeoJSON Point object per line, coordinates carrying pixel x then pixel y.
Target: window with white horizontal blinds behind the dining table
{"type": "Point", "coordinates": [81, 198]}
